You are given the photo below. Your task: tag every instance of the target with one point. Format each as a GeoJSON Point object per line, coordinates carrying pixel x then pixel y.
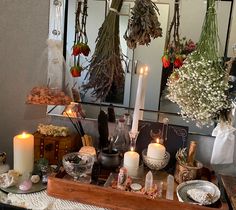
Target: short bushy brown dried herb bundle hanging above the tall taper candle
{"type": "Point", "coordinates": [143, 24]}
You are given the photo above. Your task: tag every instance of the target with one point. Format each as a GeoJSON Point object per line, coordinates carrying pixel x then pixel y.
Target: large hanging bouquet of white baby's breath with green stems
{"type": "Point", "coordinates": [200, 86]}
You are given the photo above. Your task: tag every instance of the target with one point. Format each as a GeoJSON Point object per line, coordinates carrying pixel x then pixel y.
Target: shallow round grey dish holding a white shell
{"type": "Point", "coordinates": [205, 186]}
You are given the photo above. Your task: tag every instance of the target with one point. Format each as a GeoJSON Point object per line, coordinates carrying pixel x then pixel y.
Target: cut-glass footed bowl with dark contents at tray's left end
{"type": "Point", "coordinates": [77, 165]}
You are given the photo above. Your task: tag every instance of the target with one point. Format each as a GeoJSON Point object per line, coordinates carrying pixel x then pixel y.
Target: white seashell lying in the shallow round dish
{"type": "Point", "coordinates": [200, 196]}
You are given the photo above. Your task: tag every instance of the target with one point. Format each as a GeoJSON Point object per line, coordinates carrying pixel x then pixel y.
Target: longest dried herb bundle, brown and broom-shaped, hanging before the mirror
{"type": "Point", "coordinates": [106, 64]}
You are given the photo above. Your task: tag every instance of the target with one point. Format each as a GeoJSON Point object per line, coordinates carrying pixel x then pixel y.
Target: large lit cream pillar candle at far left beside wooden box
{"type": "Point", "coordinates": [23, 146]}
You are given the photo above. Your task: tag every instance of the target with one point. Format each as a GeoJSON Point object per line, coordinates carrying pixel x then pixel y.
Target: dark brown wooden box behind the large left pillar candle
{"type": "Point", "coordinates": [53, 148]}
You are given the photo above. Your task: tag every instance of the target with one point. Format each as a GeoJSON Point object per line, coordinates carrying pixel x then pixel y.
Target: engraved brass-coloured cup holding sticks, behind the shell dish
{"type": "Point", "coordinates": [185, 173]}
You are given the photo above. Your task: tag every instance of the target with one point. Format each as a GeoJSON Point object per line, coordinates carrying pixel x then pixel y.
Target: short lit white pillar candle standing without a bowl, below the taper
{"type": "Point", "coordinates": [131, 161]}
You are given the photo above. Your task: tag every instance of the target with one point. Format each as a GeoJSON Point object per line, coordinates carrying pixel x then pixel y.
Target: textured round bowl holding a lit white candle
{"type": "Point", "coordinates": [155, 164]}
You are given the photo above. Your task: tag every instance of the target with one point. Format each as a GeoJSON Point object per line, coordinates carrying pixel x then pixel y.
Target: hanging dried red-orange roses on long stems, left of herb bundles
{"type": "Point", "coordinates": [80, 46]}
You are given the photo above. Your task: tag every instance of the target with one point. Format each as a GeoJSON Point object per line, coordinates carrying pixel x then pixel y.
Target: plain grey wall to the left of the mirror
{"type": "Point", "coordinates": [23, 34]}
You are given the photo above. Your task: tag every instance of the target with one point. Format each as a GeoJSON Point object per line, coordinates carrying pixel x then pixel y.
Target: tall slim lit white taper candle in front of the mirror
{"type": "Point", "coordinates": [136, 114]}
